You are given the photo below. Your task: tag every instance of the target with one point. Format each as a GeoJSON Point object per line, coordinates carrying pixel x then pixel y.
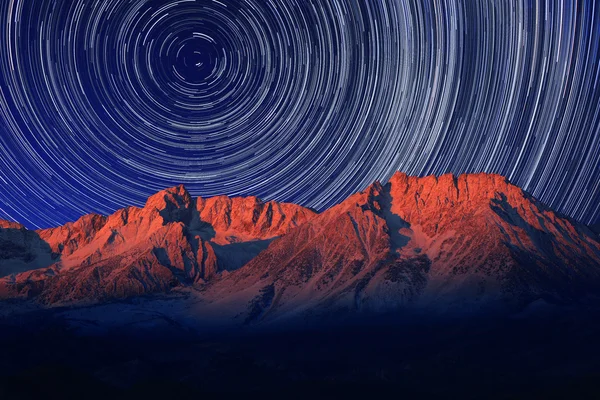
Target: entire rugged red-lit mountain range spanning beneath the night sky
{"type": "Point", "coordinates": [468, 242]}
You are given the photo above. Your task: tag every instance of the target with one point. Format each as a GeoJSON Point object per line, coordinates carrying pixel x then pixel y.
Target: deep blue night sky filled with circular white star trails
{"type": "Point", "coordinates": [105, 102]}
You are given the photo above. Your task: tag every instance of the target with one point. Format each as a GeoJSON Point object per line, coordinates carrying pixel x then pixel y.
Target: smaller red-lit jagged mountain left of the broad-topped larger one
{"type": "Point", "coordinates": [173, 240]}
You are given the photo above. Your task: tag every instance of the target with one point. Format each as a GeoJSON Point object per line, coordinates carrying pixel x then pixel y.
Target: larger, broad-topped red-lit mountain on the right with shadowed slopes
{"type": "Point", "coordinates": [465, 243]}
